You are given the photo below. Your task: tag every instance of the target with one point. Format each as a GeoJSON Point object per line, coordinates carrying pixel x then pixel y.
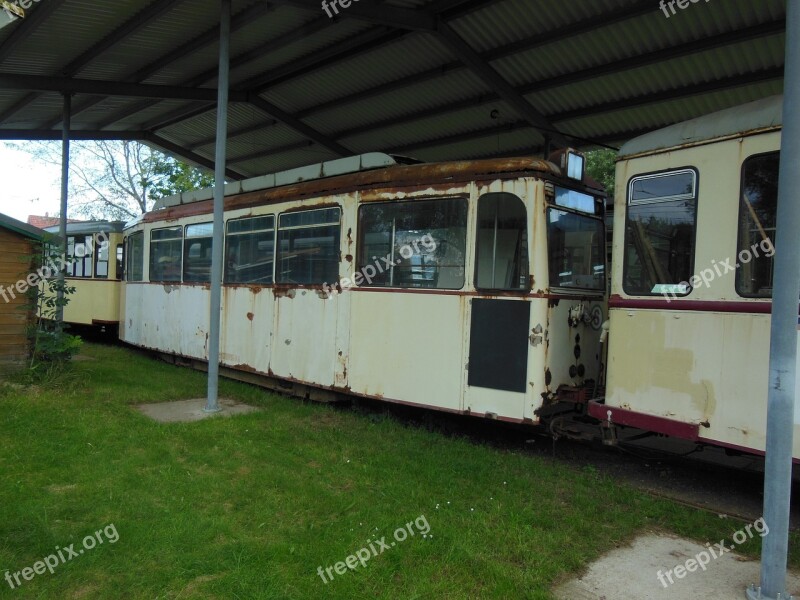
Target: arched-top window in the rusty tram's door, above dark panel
{"type": "Point", "coordinates": [502, 256]}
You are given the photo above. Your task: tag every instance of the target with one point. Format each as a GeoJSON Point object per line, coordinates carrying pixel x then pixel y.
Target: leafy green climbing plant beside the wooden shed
{"type": "Point", "coordinates": [51, 346]}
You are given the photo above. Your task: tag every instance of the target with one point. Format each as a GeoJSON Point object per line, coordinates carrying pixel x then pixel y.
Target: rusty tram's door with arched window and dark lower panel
{"type": "Point", "coordinates": [500, 312]}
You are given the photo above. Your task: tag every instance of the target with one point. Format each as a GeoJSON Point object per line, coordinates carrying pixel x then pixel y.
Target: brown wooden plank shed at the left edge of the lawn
{"type": "Point", "coordinates": [18, 244]}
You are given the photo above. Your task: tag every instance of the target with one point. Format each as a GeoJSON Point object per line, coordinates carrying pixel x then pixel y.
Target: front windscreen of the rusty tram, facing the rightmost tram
{"type": "Point", "coordinates": [576, 250]}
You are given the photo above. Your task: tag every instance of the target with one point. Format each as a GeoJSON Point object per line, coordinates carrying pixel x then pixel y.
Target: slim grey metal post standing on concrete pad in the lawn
{"type": "Point", "coordinates": [219, 200]}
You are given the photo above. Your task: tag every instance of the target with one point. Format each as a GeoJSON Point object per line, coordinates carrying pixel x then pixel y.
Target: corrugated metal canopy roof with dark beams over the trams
{"type": "Point", "coordinates": [432, 79]}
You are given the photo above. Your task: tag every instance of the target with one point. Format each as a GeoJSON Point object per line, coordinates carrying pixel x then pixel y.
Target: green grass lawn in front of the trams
{"type": "Point", "coordinates": [251, 506]}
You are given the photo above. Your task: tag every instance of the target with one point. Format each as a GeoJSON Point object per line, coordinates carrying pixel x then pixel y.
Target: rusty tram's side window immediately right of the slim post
{"type": "Point", "coordinates": [250, 250]}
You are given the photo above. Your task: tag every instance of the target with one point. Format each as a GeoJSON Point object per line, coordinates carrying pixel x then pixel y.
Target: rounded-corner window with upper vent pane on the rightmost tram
{"type": "Point", "coordinates": [660, 227]}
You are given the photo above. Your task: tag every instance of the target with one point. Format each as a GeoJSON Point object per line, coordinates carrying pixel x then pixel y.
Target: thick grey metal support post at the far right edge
{"type": "Point", "coordinates": [784, 334]}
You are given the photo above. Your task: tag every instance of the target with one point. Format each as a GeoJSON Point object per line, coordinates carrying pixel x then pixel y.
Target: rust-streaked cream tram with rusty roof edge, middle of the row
{"type": "Point", "coordinates": [472, 287]}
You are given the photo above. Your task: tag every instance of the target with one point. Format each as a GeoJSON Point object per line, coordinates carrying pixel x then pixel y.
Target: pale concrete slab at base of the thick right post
{"type": "Point", "coordinates": [632, 572]}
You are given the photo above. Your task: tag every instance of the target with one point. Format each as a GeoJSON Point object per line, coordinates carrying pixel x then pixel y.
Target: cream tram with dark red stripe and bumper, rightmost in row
{"type": "Point", "coordinates": [692, 279]}
